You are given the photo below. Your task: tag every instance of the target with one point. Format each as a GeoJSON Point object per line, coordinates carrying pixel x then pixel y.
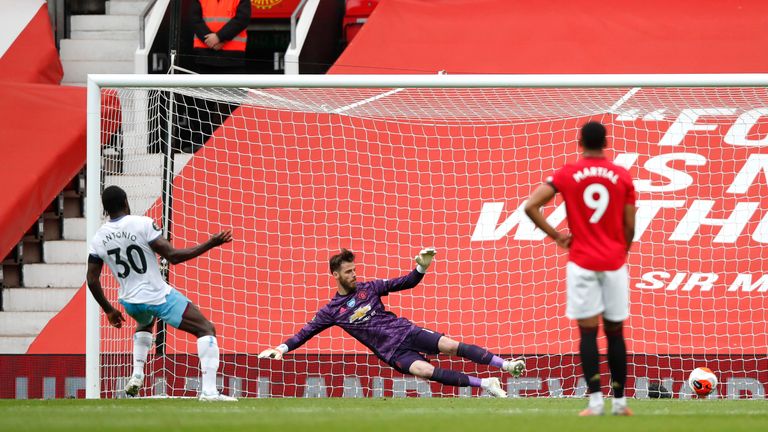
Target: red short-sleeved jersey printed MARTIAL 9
{"type": "Point", "coordinates": [595, 191]}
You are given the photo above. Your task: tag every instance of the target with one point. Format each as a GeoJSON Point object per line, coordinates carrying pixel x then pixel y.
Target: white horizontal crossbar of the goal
{"type": "Point", "coordinates": [435, 81]}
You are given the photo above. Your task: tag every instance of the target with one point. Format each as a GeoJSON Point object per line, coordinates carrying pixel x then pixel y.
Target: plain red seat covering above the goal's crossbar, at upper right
{"type": "Point", "coordinates": [560, 36]}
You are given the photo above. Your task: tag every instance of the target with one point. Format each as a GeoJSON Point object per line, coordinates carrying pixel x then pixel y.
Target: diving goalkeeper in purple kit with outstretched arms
{"type": "Point", "coordinates": [357, 308]}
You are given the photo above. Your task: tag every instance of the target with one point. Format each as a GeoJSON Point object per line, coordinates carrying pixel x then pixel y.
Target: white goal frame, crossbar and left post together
{"type": "Point", "coordinates": [97, 82]}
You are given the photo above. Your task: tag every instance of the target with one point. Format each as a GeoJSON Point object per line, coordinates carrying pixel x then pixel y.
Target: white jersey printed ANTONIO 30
{"type": "Point", "coordinates": [123, 243]}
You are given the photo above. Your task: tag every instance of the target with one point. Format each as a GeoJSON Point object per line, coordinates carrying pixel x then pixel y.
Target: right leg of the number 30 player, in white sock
{"type": "Point", "coordinates": [194, 322]}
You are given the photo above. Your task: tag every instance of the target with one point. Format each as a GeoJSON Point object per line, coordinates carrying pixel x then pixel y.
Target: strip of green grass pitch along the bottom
{"type": "Point", "coordinates": [400, 415]}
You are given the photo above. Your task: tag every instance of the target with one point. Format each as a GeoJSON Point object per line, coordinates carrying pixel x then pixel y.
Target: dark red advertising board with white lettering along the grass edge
{"type": "Point", "coordinates": [34, 376]}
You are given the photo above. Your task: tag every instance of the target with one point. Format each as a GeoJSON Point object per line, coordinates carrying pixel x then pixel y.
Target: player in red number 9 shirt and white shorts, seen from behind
{"type": "Point", "coordinates": [600, 207]}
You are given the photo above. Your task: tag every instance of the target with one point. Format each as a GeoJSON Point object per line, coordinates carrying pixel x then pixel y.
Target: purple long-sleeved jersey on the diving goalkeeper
{"type": "Point", "coordinates": [361, 314]}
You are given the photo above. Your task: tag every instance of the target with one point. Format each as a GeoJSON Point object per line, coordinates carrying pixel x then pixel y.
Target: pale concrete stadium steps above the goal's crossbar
{"type": "Point", "coordinates": [102, 43]}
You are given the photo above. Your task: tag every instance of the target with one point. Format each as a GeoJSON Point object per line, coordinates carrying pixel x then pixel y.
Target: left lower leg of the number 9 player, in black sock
{"type": "Point", "coordinates": [590, 365]}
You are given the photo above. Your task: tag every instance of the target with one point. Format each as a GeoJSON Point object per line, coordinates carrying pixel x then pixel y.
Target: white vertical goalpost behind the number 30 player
{"type": "Point", "coordinates": [93, 217]}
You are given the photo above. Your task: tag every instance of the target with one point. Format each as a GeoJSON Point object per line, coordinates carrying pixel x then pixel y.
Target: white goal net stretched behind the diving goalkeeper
{"type": "Point", "coordinates": [300, 171]}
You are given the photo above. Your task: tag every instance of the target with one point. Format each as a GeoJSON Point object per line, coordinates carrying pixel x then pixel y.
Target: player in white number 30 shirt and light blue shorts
{"type": "Point", "coordinates": [128, 245]}
